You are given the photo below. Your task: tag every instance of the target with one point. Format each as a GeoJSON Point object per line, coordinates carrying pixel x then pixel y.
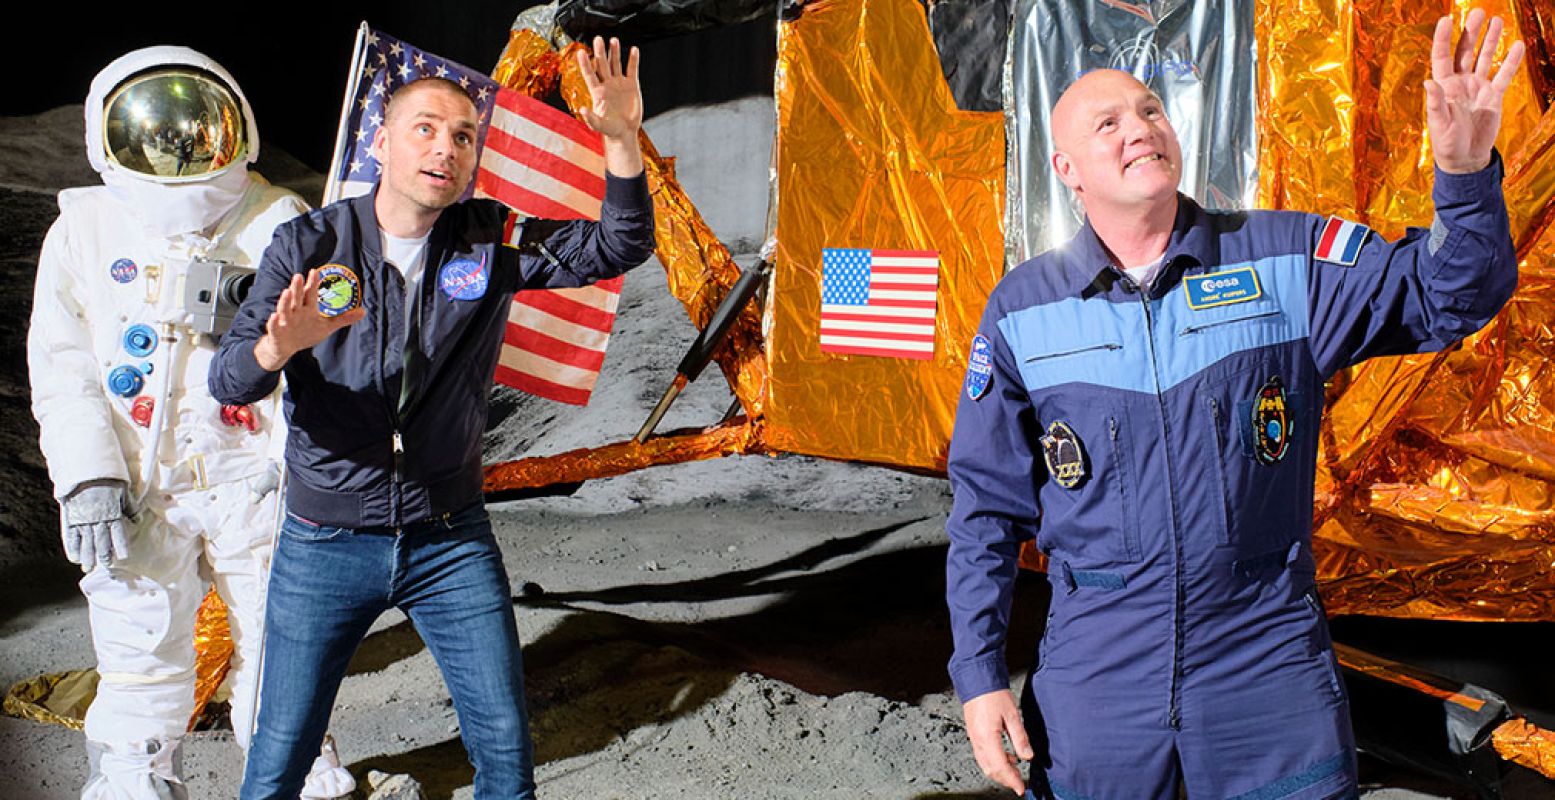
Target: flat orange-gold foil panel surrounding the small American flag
{"type": "Point", "coordinates": [873, 153]}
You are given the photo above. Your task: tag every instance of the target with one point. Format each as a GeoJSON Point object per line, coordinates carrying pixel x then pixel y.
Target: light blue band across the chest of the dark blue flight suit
{"type": "Point", "coordinates": [1106, 345]}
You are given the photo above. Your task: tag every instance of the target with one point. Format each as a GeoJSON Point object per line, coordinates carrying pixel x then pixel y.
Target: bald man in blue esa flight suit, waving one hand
{"type": "Point", "coordinates": [1145, 402]}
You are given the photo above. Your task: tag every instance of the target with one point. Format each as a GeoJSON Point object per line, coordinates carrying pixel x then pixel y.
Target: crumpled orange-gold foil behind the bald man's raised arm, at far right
{"type": "Point", "coordinates": [1436, 486]}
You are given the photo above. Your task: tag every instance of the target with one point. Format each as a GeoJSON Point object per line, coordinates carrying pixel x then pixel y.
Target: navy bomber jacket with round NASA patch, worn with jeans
{"type": "Point", "coordinates": [354, 457]}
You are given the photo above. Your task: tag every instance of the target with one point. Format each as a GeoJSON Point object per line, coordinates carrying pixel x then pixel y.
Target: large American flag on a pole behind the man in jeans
{"type": "Point", "coordinates": [533, 158]}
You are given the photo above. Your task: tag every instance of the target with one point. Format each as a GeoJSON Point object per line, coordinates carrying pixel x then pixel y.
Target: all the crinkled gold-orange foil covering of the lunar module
{"type": "Point", "coordinates": [1436, 482]}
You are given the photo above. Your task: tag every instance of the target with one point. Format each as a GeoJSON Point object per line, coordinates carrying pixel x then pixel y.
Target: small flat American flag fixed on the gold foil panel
{"type": "Point", "coordinates": [879, 303]}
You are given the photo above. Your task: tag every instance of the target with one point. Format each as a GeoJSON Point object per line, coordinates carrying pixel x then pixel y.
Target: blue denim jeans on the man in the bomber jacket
{"type": "Point", "coordinates": [327, 588]}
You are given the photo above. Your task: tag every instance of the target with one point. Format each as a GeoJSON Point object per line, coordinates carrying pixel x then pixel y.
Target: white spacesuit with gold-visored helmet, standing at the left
{"type": "Point", "coordinates": [162, 489]}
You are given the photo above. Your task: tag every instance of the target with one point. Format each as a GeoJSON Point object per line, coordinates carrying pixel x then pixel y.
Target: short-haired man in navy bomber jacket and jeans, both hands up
{"type": "Point", "coordinates": [388, 382]}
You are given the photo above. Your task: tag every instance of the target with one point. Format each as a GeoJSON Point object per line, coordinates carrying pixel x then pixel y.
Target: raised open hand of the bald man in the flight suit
{"type": "Point", "coordinates": [1462, 99]}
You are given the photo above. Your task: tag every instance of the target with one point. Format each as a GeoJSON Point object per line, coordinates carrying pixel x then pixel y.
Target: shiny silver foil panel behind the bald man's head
{"type": "Point", "coordinates": [1198, 57]}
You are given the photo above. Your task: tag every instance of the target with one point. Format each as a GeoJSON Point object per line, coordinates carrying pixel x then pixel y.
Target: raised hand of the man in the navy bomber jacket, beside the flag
{"type": "Point", "coordinates": [617, 105]}
